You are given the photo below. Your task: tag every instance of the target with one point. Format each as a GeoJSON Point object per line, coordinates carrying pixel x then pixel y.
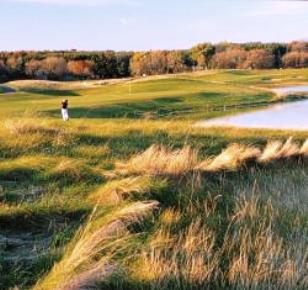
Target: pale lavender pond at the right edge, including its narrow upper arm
{"type": "Point", "coordinates": [287, 116]}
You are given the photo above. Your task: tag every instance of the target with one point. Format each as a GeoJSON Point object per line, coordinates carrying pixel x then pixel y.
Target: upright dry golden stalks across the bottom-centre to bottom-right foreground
{"type": "Point", "coordinates": [252, 256]}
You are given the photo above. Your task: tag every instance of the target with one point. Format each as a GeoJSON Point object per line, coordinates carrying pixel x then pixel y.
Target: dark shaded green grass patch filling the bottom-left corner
{"type": "Point", "coordinates": [27, 255]}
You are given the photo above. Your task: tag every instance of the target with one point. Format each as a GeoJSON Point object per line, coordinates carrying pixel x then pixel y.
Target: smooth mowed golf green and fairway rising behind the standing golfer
{"type": "Point", "coordinates": [180, 95]}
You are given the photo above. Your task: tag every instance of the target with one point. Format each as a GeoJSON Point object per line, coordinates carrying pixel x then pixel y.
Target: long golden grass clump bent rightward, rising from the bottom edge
{"type": "Point", "coordinates": [89, 258]}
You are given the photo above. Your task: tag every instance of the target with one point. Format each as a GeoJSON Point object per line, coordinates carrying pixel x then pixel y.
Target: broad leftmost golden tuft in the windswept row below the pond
{"type": "Point", "coordinates": [159, 160]}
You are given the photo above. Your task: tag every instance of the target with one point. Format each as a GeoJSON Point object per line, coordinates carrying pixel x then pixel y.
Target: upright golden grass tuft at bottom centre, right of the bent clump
{"type": "Point", "coordinates": [187, 256]}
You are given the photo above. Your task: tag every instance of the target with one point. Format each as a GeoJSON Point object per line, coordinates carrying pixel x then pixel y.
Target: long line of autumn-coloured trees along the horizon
{"type": "Point", "coordinates": [76, 65]}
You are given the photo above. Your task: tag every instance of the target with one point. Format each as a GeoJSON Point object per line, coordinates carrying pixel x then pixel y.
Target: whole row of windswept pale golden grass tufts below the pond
{"type": "Point", "coordinates": [159, 160]}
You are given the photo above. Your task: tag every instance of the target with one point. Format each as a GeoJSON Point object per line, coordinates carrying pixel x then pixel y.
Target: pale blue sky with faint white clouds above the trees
{"type": "Point", "coordinates": [147, 24]}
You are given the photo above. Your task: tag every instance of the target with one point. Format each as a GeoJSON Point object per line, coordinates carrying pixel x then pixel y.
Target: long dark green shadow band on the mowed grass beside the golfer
{"type": "Point", "coordinates": [164, 107]}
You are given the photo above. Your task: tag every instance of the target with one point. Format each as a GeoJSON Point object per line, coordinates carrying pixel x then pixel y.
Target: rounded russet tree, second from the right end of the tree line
{"type": "Point", "coordinates": [259, 59]}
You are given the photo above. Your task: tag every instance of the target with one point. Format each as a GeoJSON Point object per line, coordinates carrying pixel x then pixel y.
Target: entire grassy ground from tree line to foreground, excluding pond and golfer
{"type": "Point", "coordinates": [129, 195]}
